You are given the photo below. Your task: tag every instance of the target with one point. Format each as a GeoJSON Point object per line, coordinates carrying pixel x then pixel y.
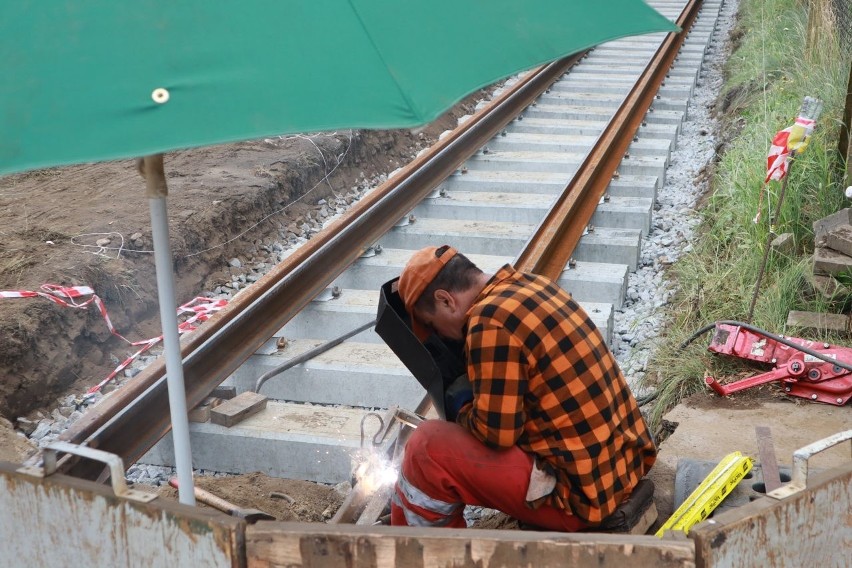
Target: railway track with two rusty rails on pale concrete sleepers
{"type": "Point", "coordinates": [558, 175]}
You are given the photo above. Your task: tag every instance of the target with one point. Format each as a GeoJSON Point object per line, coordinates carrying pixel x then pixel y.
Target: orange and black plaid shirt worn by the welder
{"type": "Point", "coordinates": [544, 380]}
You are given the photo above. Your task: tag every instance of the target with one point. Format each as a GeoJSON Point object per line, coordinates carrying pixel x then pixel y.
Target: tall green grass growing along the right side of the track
{"type": "Point", "coordinates": [767, 77]}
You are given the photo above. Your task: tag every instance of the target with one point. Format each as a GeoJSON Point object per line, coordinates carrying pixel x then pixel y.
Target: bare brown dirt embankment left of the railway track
{"type": "Point", "coordinates": [89, 225]}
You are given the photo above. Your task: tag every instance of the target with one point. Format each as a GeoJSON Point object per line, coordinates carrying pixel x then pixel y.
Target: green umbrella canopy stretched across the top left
{"type": "Point", "coordinates": [90, 80]}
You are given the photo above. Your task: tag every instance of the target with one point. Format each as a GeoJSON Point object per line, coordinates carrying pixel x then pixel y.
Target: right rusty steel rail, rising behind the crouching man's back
{"type": "Point", "coordinates": [551, 246]}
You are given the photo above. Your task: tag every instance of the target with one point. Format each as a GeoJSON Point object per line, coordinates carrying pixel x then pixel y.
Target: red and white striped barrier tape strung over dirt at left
{"type": "Point", "coordinates": [67, 296]}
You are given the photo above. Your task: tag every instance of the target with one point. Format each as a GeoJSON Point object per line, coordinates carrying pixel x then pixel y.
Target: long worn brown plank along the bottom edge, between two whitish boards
{"type": "Point", "coordinates": [275, 544]}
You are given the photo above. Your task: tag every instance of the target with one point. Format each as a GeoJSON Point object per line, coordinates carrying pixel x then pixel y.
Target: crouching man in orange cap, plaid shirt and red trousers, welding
{"type": "Point", "coordinates": [545, 427]}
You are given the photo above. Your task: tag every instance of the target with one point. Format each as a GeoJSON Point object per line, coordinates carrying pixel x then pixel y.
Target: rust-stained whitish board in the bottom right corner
{"type": "Point", "coordinates": [811, 528]}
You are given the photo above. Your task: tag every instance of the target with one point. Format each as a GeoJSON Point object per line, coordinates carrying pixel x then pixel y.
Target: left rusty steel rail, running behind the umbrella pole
{"type": "Point", "coordinates": [131, 421]}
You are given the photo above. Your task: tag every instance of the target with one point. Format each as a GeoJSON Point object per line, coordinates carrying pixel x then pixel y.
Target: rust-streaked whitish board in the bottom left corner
{"type": "Point", "coordinates": [64, 521]}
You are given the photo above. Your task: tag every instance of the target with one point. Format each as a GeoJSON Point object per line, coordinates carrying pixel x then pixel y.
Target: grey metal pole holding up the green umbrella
{"type": "Point", "coordinates": [151, 168]}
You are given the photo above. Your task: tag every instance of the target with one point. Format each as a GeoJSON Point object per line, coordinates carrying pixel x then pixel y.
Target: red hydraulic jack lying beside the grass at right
{"type": "Point", "coordinates": [805, 368]}
